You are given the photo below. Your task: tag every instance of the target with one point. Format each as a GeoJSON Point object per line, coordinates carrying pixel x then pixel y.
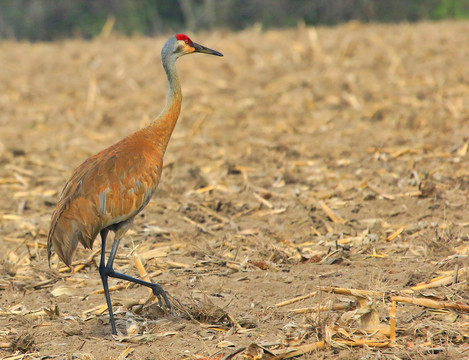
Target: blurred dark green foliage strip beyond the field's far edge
{"type": "Point", "coordinates": [39, 20]}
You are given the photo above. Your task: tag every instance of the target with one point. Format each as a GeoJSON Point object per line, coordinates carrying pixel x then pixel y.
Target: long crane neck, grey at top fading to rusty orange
{"type": "Point", "coordinates": [162, 127]}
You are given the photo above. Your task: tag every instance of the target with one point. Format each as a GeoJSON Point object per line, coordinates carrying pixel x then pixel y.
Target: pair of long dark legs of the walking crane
{"type": "Point", "coordinates": [108, 271]}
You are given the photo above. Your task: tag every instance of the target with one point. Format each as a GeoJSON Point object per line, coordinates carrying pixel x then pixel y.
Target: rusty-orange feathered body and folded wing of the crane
{"type": "Point", "coordinates": [108, 188]}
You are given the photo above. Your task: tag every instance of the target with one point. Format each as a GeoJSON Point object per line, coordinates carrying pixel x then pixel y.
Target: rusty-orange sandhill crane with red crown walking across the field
{"type": "Point", "coordinates": [110, 188]}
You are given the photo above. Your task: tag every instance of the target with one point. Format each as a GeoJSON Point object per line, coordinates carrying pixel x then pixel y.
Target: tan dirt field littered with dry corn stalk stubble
{"type": "Point", "coordinates": [305, 162]}
